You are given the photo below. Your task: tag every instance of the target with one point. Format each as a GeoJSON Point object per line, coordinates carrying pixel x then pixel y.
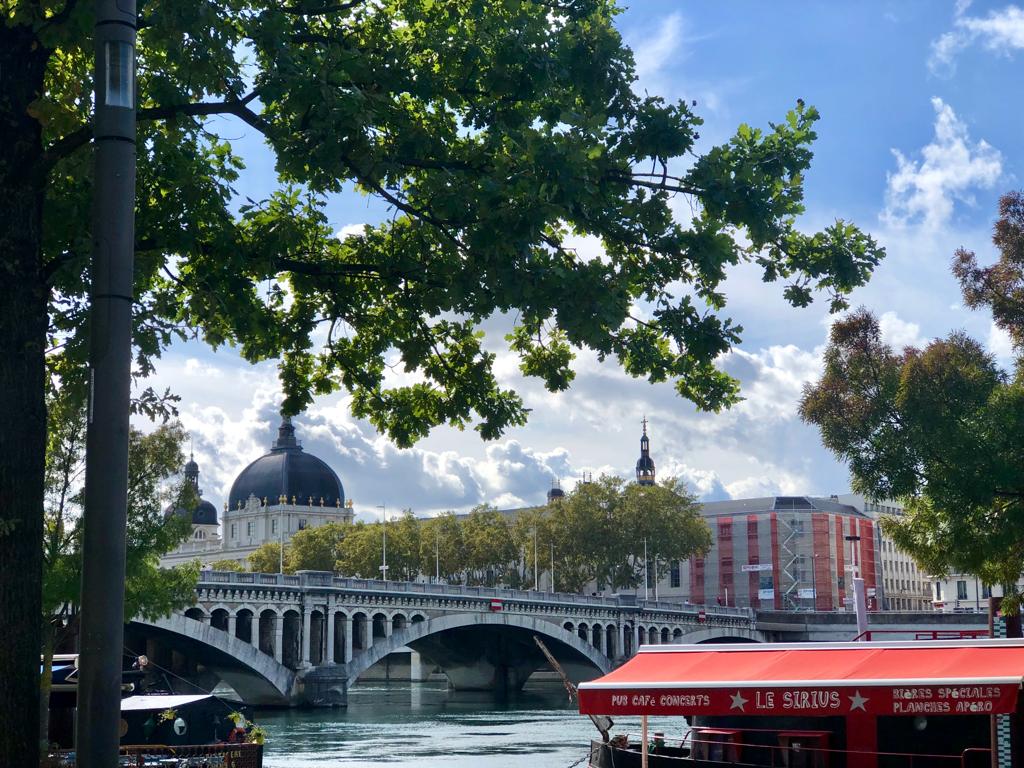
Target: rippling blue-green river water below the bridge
{"type": "Point", "coordinates": [425, 724]}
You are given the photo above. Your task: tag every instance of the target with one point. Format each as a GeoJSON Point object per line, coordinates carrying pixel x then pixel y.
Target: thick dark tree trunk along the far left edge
{"type": "Point", "coordinates": [23, 413]}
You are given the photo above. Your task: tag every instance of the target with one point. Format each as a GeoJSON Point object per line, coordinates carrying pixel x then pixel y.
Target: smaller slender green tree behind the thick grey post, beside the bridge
{"type": "Point", "coordinates": [154, 463]}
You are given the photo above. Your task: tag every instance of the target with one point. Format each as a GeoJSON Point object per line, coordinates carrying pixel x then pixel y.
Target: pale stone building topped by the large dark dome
{"type": "Point", "coordinates": [280, 494]}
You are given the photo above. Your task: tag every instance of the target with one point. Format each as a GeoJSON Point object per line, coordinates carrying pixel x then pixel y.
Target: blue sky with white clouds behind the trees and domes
{"type": "Point", "coordinates": [921, 133]}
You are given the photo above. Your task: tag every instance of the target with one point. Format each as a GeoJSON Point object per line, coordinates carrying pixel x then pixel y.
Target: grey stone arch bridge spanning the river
{"type": "Point", "coordinates": [305, 638]}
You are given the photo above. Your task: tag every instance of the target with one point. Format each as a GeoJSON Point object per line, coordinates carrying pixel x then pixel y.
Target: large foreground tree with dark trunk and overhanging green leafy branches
{"type": "Point", "coordinates": [495, 132]}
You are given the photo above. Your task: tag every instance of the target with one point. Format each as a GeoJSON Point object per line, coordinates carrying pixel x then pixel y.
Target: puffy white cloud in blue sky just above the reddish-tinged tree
{"type": "Point", "coordinates": [923, 193]}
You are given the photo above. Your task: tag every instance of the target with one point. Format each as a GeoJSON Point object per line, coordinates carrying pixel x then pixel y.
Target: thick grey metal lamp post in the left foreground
{"type": "Point", "coordinates": [110, 381]}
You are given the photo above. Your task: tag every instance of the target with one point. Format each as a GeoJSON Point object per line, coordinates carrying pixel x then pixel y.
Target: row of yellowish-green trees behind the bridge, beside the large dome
{"type": "Point", "coordinates": [598, 534]}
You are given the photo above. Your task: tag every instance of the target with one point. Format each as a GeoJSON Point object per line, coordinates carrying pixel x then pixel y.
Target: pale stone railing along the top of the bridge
{"type": "Point", "coordinates": [327, 580]}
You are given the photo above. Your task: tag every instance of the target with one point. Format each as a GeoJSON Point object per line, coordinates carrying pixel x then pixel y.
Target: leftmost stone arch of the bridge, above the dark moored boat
{"type": "Point", "coordinates": [259, 678]}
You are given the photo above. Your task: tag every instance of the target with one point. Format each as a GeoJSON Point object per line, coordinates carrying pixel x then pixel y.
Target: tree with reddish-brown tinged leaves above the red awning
{"type": "Point", "coordinates": [940, 428]}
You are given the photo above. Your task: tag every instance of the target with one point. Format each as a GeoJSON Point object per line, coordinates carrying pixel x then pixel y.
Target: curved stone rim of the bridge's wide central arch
{"type": "Point", "coordinates": [419, 630]}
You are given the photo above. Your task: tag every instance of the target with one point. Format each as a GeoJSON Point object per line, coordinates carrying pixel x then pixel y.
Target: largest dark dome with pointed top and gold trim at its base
{"type": "Point", "coordinates": [288, 472]}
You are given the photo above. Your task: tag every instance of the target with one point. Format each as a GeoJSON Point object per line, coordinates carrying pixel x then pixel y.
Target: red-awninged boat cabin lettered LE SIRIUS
{"type": "Point", "coordinates": [948, 704]}
